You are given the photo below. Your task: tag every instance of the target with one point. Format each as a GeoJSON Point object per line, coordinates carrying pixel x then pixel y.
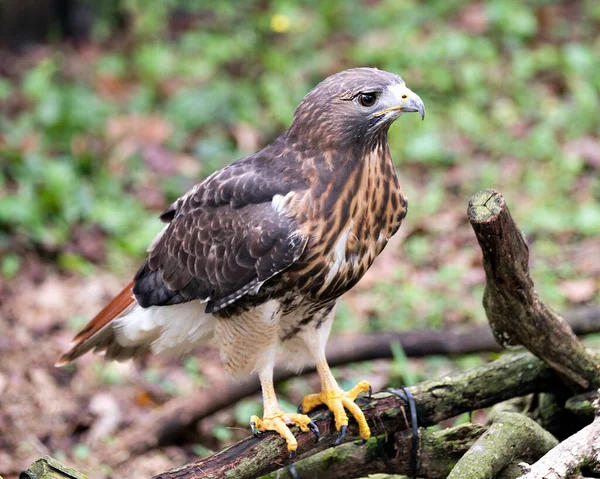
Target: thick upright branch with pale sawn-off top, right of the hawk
{"type": "Point", "coordinates": [516, 313]}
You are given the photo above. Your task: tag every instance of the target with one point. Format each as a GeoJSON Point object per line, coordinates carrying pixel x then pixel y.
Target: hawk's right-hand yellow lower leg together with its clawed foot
{"type": "Point", "coordinates": [338, 401]}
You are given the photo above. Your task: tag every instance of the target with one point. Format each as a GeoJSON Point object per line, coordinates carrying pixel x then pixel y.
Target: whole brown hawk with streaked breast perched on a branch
{"type": "Point", "coordinates": [261, 251]}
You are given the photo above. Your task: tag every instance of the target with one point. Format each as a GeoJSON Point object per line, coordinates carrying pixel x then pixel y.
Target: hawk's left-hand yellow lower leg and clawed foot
{"type": "Point", "coordinates": [274, 419]}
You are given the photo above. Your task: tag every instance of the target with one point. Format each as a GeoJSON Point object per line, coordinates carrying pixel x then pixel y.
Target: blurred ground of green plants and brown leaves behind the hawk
{"type": "Point", "coordinates": [110, 110]}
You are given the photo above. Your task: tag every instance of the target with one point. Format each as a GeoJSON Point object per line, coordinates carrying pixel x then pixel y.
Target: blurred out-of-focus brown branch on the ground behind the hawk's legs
{"type": "Point", "coordinates": [174, 420]}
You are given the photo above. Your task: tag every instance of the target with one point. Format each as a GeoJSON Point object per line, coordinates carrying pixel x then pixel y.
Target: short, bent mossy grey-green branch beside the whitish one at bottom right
{"type": "Point", "coordinates": [510, 435]}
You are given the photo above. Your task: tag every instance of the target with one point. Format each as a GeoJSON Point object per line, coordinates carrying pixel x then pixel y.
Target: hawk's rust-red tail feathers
{"type": "Point", "coordinates": [89, 336]}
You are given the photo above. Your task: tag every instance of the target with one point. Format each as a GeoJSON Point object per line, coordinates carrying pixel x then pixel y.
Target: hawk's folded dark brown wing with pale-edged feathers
{"type": "Point", "coordinates": [224, 237]}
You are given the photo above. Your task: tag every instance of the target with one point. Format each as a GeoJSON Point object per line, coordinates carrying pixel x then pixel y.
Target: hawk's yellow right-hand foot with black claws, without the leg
{"type": "Point", "coordinates": [338, 402]}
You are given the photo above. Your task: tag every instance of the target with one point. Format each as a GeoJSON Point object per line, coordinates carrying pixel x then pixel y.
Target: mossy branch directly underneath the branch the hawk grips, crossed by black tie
{"type": "Point", "coordinates": [438, 452]}
